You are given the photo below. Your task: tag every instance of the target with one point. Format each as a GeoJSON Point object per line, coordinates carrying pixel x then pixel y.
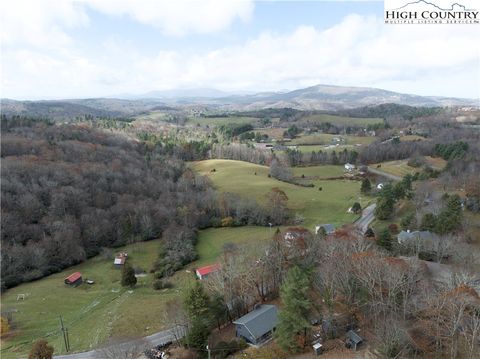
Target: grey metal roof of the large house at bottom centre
{"type": "Point", "coordinates": [259, 321]}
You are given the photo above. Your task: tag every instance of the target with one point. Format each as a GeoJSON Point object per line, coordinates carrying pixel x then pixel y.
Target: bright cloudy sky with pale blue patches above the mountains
{"type": "Point", "coordinates": [102, 48]}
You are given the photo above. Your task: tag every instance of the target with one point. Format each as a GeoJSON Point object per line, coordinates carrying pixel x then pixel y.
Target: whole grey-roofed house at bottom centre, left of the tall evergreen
{"type": "Point", "coordinates": [258, 325]}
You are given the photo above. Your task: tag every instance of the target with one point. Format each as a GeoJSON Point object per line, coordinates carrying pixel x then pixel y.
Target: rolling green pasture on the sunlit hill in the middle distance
{"type": "Point", "coordinates": [327, 206]}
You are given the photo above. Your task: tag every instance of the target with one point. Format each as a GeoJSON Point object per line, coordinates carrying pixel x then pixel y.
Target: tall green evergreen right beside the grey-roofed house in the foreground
{"type": "Point", "coordinates": [293, 318]}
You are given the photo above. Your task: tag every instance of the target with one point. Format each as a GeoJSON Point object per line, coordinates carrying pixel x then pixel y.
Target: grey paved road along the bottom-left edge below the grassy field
{"type": "Point", "coordinates": [160, 338]}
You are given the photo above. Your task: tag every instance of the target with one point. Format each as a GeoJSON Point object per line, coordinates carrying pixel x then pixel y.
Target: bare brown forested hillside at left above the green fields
{"type": "Point", "coordinates": [70, 190]}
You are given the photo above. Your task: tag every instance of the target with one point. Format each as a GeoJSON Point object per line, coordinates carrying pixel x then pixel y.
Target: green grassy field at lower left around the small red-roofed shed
{"type": "Point", "coordinates": [92, 313]}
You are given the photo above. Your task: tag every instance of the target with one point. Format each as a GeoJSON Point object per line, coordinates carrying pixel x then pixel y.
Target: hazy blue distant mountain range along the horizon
{"type": "Point", "coordinates": [319, 97]}
